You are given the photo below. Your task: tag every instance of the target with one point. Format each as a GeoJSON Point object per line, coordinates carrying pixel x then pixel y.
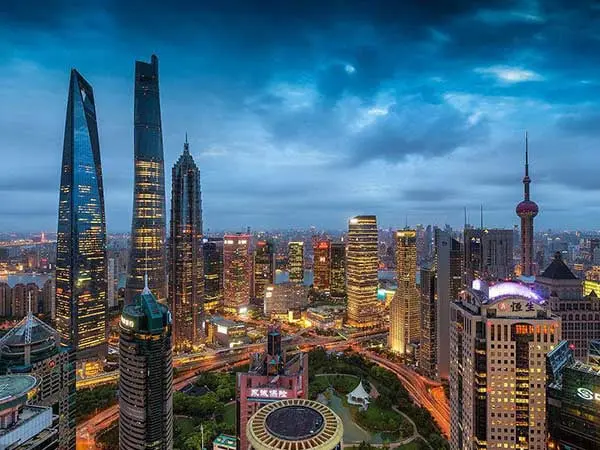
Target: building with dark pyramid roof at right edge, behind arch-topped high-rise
{"type": "Point", "coordinates": [580, 314]}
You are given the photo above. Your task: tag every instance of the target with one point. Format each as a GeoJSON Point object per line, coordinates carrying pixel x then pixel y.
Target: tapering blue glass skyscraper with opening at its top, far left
{"type": "Point", "coordinates": [81, 240]}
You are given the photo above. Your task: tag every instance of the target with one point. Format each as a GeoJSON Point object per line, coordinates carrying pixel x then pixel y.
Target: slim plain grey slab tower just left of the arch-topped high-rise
{"type": "Point", "coordinates": [449, 268]}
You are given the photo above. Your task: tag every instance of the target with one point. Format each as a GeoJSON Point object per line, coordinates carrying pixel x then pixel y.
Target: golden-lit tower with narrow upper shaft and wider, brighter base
{"type": "Point", "coordinates": [405, 308]}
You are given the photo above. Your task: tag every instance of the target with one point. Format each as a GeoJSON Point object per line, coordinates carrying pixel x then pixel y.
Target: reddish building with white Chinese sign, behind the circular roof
{"type": "Point", "coordinates": [271, 377]}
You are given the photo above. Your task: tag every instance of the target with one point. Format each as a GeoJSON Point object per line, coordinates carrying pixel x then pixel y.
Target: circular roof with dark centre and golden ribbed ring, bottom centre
{"type": "Point", "coordinates": [294, 424]}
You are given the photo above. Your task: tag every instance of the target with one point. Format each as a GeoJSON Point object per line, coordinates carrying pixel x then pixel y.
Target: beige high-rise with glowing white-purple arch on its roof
{"type": "Point", "coordinates": [499, 340]}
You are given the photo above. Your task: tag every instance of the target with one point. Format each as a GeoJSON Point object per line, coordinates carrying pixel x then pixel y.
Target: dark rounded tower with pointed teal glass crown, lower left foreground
{"type": "Point", "coordinates": [145, 375]}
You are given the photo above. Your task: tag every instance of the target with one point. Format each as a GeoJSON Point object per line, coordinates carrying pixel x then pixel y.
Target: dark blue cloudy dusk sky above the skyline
{"type": "Point", "coordinates": [307, 112]}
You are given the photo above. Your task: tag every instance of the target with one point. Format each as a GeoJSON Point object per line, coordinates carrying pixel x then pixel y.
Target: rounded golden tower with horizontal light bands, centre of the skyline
{"type": "Point", "coordinates": [361, 270]}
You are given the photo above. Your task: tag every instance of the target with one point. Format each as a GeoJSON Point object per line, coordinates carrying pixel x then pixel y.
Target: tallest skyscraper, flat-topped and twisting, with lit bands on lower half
{"type": "Point", "coordinates": [148, 240]}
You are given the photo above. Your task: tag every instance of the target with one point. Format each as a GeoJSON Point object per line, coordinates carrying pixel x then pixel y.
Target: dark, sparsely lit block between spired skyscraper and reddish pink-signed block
{"type": "Point", "coordinates": [212, 250]}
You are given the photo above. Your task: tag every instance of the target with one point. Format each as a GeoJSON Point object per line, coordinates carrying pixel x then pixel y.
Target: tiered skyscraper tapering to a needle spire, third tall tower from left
{"type": "Point", "coordinates": [186, 274]}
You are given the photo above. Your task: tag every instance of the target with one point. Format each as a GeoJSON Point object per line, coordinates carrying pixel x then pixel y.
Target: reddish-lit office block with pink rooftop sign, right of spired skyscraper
{"type": "Point", "coordinates": [237, 267]}
